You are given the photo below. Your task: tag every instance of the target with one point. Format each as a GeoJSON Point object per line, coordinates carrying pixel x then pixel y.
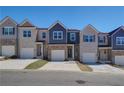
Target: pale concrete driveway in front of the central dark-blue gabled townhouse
{"type": "Point", "coordinates": [61, 66]}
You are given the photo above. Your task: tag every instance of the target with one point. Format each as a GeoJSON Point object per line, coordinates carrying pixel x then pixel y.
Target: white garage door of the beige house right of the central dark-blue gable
{"type": "Point", "coordinates": [89, 57]}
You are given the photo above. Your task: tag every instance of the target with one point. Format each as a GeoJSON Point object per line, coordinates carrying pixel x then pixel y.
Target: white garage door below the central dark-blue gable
{"type": "Point", "coordinates": [57, 55]}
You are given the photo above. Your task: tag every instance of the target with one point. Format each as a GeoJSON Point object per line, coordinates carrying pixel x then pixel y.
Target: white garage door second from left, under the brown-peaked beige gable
{"type": "Point", "coordinates": [27, 53]}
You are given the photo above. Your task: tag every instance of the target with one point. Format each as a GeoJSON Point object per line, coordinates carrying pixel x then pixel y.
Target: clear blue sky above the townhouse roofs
{"type": "Point", "coordinates": [105, 19]}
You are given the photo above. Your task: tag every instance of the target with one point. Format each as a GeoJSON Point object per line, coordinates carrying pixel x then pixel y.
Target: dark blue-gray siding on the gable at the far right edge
{"type": "Point", "coordinates": [120, 33]}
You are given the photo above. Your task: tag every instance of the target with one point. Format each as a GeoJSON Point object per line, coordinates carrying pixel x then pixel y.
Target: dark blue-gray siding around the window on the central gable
{"type": "Point", "coordinates": [57, 27]}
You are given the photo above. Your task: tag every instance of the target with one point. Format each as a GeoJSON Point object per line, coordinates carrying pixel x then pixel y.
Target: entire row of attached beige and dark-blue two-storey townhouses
{"type": "Point", "coordinates": [58, 42]}
